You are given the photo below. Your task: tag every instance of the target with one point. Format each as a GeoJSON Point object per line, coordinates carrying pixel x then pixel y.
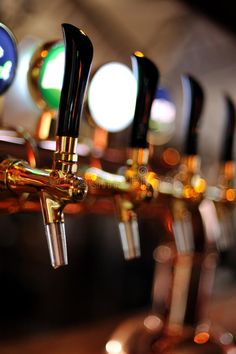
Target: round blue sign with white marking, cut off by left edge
{"type": "Point", "coordinates": [8, 58]}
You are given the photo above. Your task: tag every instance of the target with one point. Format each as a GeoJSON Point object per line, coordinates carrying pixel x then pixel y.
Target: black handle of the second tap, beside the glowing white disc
{"type": "Point", "coordinates": [147, 76]}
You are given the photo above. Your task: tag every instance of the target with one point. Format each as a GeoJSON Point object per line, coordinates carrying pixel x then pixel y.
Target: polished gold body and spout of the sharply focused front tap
{"type": "Point", "coordinates": [56, 188]}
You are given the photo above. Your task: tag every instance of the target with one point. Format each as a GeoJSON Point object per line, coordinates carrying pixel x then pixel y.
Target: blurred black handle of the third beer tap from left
{"type": "Point", "coordinates": [193, 105]}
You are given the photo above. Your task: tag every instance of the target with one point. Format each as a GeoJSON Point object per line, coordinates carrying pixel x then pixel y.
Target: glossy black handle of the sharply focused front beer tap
{"type": "Point", "coordinates": [78, 59]}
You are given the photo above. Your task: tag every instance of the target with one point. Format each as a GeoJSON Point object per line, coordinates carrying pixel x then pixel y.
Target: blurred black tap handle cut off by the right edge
{"type": "Point", "coordinates": [228, 137]}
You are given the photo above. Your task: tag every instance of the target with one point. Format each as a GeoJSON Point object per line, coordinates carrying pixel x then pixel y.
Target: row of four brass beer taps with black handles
{"type": "Point", "coordinates": [184, 189]}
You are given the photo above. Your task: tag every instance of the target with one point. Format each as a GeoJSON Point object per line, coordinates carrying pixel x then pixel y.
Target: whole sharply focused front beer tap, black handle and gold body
{"type": "Point", "coordinates": [61, 184]}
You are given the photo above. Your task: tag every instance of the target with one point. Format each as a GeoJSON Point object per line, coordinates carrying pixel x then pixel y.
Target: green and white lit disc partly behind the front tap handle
{"type": "Point", "coordinates": [51, 76]}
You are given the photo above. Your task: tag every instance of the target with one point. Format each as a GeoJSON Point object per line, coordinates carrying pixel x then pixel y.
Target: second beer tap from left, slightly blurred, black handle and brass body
{"type": "Point", "coordinates": [135, 185]}
